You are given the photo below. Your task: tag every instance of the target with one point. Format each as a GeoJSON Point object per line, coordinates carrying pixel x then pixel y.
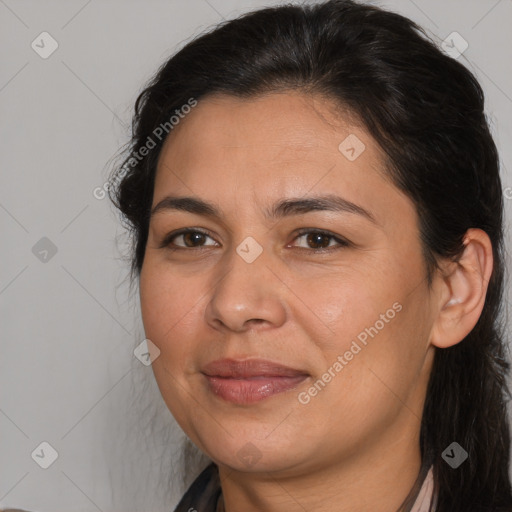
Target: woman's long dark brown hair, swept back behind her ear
{"type": "Point", "coordinates": [426, 111]}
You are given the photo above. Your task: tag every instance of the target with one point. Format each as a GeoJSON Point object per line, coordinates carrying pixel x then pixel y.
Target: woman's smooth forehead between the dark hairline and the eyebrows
{"type": "Point", "coordinates": [227, 150]}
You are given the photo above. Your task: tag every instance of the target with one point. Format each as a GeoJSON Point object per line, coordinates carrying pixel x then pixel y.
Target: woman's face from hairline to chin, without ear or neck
{"type": "Point", "coordinates": [308, 258]}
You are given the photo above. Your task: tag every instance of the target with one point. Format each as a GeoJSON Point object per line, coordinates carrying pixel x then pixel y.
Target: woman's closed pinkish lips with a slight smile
{"type": "Point", "coordinates": [249, 381]}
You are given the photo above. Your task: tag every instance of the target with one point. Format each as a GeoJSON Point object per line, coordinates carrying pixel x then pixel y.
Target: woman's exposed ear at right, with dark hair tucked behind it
{"type": "Point", "coordinates": [461, 290]}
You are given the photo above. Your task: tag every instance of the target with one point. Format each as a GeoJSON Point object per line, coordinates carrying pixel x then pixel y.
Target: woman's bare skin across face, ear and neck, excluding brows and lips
{"type": "Point", "coordinates": [355, 445]}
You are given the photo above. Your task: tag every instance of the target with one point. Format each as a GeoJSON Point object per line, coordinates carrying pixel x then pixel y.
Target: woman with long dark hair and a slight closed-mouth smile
{"type": "Point", "coordinates": [316, 210]}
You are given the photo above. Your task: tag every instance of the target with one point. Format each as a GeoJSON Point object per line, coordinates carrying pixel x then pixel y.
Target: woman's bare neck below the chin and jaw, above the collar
{"type": "Point", "coordinates": [378, 478]}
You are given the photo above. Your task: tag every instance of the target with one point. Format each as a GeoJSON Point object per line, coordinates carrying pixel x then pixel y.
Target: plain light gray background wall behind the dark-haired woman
{"type": "Point", "coordinates": [69, 325]}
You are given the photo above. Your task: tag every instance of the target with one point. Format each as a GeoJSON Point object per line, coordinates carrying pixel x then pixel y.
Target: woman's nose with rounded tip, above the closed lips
{"type": "Point", "coordinates": [247, 296]}
